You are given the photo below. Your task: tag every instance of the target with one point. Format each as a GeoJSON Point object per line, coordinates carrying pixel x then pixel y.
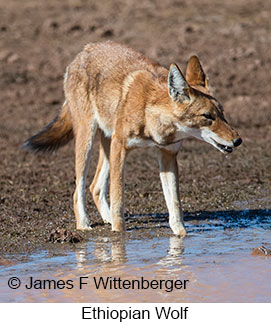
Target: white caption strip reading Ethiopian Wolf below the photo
{"type": "Point", "coordinates": [67, 312]}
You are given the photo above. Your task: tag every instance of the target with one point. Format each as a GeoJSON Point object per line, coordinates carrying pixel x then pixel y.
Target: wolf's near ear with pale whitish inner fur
{"type": "Point", "coordinates": [177, 85]}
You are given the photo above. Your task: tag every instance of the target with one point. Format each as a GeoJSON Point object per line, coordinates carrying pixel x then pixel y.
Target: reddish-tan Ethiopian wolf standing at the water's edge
{"type": "Point", "coordinates": [132, 102]}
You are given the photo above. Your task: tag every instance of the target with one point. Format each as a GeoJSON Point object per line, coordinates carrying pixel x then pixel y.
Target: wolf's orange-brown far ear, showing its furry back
{"type": "Point", "coordinates": [195, 74]}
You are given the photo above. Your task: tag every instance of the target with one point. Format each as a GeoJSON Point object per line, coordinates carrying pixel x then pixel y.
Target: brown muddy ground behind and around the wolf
{"type": "Point", "coordinates": [37, 41]}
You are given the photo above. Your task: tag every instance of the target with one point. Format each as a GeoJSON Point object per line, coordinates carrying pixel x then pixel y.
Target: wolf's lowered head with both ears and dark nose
{"type": "Point", "coordinates": [197, 110]}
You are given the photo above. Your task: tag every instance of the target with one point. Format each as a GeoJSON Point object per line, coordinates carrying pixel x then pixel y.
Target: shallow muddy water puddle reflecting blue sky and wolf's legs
{"type": "Point", "coordinates": [215, 260]}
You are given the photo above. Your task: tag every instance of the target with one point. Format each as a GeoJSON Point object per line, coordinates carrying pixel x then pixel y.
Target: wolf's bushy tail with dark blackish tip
{"type": "Point", "coordinates": [56, 134]}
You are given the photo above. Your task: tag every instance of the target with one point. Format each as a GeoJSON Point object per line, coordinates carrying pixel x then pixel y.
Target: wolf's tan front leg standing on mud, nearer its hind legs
{"type": "Point", "coordinates": [117, 163]}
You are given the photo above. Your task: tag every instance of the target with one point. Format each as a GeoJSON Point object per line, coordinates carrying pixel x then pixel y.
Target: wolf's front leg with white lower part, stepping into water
{"type": "Point", "coordinates": [170, 183]}
